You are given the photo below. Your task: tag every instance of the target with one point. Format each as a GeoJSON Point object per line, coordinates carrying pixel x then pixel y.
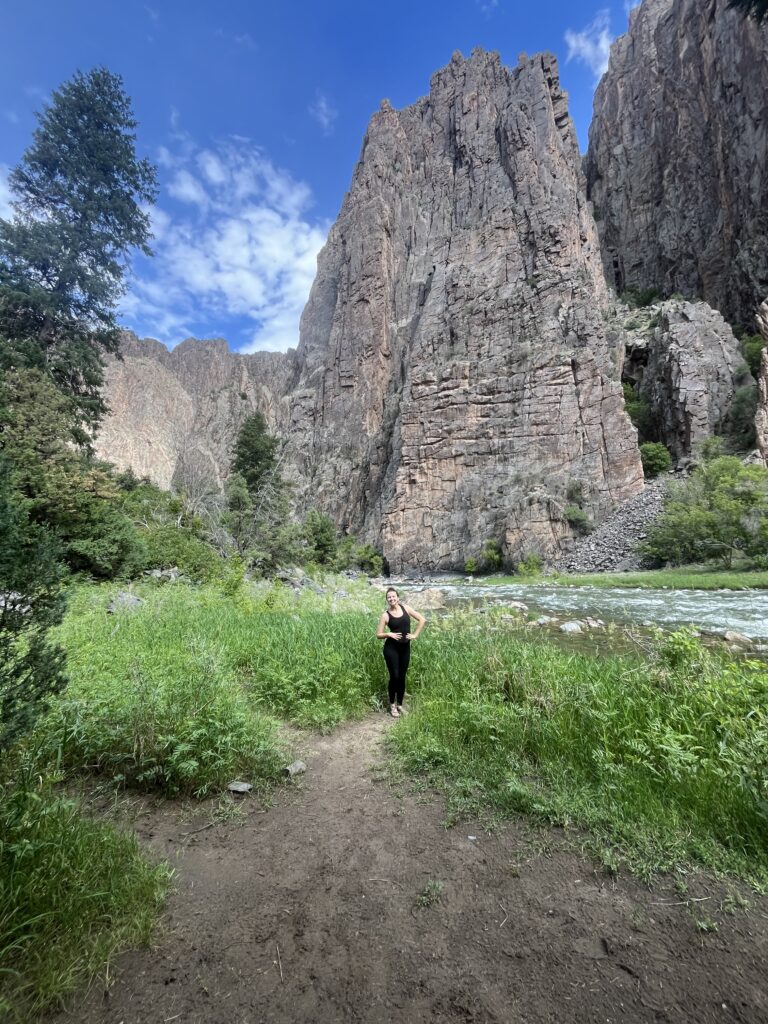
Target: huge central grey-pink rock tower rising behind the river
{"type": "Point", "coordinates": [455, 370]}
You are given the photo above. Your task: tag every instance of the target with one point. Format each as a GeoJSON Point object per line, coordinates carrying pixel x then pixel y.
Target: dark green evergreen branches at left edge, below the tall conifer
{"type": "Point", "coordinates": [32, 668]}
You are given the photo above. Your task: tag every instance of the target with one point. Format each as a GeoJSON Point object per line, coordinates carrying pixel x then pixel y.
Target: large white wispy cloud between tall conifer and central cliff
{"type": "Point", "coordinates": [238, 248]}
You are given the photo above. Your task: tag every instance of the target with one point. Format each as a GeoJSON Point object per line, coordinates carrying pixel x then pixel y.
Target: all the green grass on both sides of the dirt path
{"type": "Point", "coordinates": [657, 760]}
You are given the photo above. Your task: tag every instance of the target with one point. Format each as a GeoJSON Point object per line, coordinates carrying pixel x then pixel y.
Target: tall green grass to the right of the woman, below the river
{"type": "Point", "coordinates": [664, 759]}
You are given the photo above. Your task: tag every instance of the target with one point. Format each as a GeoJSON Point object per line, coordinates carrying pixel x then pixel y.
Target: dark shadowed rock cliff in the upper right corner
{"type": "Point", "coordinates": [678, 157]}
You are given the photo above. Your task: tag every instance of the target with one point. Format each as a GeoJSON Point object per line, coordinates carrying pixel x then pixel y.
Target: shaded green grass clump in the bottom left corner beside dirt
{"type": "Point", "coordinates": [73, 893]}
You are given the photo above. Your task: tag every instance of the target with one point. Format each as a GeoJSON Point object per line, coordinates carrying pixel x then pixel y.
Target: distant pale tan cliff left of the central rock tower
{"type": "Point", "coordinates": [175, 416]}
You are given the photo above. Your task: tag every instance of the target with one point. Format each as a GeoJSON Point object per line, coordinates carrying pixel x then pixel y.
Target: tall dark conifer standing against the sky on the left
{"type": "Point", "coordinates": [79, 197]}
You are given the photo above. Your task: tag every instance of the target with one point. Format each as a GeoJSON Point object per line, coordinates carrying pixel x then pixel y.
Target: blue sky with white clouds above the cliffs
{"type": "Point", "coordinates": [254, 114]}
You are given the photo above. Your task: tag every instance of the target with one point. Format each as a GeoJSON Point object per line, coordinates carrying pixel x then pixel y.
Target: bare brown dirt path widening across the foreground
{"type": "Point", "coordinates": [310, 912]}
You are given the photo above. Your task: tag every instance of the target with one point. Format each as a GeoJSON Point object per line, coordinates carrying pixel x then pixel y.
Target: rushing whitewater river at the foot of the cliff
{"type": "Point", "coordinates": [710, 612]}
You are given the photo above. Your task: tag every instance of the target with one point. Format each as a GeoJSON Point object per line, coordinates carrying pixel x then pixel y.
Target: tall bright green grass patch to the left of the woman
{"type": "Point", "coordinates": [179, 694]}
